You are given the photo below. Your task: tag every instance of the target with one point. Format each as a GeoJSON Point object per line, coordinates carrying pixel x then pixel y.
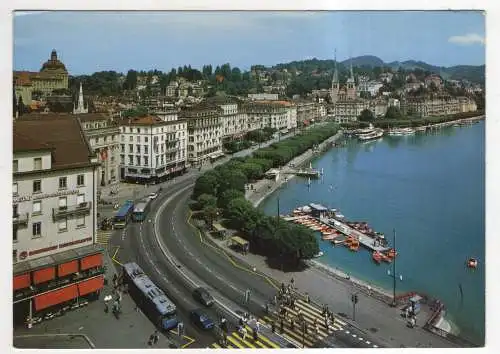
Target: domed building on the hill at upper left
{"type": "Point", "coordinates": [53, 75]}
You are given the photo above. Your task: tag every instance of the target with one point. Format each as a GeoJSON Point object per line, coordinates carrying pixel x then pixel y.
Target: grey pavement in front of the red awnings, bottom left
{"type": "Point", "coordinates": [130, 331]}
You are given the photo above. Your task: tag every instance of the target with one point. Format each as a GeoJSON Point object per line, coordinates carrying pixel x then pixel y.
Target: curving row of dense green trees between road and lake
{"type": "Point", "coordinates": [221, 192]}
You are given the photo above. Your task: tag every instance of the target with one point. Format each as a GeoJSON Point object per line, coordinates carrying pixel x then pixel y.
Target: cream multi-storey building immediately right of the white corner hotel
{"type": "Point", "coordinates": [204, 131]}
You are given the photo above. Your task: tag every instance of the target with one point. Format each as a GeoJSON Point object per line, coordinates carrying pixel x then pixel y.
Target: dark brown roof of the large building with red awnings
{"type": "Point", "coordinates": [61, 133]}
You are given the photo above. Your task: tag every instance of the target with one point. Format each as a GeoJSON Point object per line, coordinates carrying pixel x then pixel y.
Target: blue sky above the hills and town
{"type": "Point", "coordinates": [87, 42]}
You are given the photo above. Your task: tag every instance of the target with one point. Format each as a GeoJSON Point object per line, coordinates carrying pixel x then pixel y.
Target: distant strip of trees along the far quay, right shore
{"type": "Point", "coordinates": [394, 119]}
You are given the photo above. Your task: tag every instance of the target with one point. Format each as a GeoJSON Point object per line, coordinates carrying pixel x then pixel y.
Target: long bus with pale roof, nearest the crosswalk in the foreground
{"type": "Point", "coordinates": [151, 299]}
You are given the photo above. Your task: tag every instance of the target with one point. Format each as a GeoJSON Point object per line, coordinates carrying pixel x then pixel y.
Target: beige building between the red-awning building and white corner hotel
{"type": "Point", "coordinates": [103, 135]}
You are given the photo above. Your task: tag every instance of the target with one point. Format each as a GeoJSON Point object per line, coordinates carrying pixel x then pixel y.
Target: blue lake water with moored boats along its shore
{"type": "Point", "coordinates": [431, 189]}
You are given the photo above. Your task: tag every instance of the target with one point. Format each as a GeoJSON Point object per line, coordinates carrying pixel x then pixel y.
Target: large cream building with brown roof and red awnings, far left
{"type": "Point", "coordinates": [55, 260]}
